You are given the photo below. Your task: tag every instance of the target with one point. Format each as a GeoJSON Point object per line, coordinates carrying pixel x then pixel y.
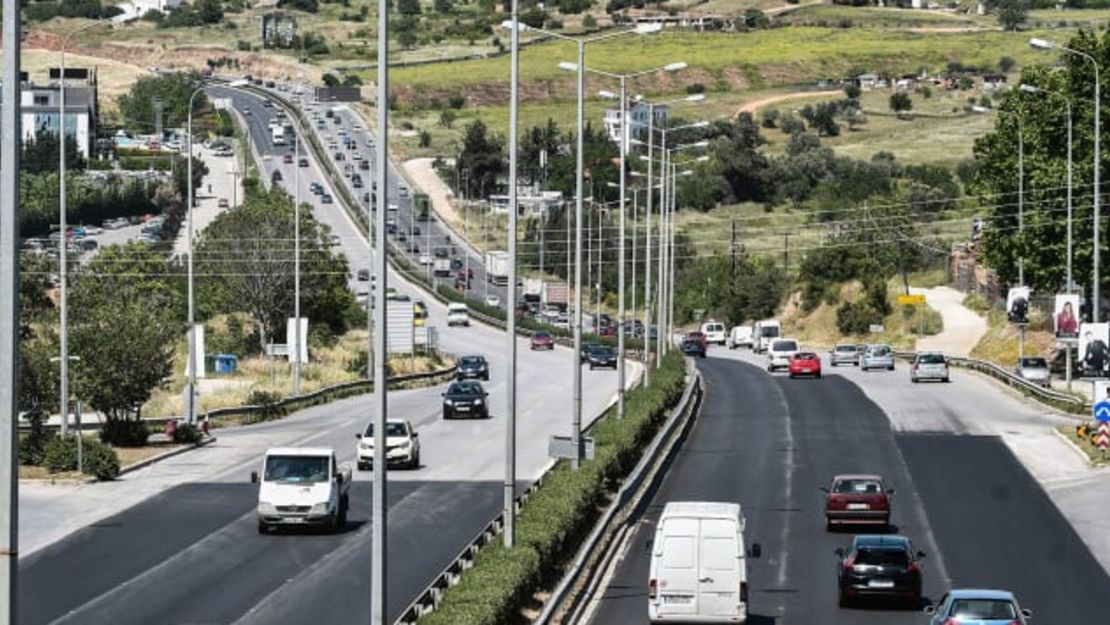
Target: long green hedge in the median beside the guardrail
{"type": "Point", "coordinates": [561, 512]}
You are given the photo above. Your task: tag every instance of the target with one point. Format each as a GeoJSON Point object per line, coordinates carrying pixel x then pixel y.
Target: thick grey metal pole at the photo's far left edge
{"type": "Point", "coordinates": [9, 312]}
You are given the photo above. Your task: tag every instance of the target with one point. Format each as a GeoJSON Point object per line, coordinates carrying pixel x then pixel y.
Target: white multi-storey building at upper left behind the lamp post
{"type": "Point", "coordinates": [39, 108]}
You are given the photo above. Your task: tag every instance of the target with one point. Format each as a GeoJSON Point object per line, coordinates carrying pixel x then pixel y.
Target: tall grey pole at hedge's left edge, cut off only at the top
{"type": "Point", "coordinates": [511, 304]}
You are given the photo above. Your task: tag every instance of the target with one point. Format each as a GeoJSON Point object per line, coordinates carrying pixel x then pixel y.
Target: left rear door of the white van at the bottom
{"type": "Point", "coordinates": [678, 572]}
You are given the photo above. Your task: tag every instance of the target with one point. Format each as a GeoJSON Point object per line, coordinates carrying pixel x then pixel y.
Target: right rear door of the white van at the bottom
{"type": "Point", "coordinates": [720, 573]}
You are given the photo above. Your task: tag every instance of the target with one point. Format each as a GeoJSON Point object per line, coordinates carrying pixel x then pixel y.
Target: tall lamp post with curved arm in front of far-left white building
{"type": "Point", "coordinates": [64, 240]}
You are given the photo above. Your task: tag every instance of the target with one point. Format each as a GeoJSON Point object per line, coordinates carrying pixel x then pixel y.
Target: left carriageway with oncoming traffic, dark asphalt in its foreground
{"type": "Point", "coordinates": [177, 542]}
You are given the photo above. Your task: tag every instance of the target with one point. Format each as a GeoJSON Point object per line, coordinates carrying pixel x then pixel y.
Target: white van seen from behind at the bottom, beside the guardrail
{"type": "Point", "coordinates": [699, 571]}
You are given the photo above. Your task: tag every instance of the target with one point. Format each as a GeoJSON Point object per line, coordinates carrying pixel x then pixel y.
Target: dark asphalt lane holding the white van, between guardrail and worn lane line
{"type": "Point", "coordinates": [743, 425]}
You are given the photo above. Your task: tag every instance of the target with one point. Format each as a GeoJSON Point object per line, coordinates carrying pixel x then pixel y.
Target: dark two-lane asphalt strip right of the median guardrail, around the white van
{"type": "Point", "coordinates": [770, 445]}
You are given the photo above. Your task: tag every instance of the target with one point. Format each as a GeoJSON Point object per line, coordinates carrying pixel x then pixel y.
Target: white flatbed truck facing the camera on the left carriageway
{"type": "Point", "coordinates": [302, 487]}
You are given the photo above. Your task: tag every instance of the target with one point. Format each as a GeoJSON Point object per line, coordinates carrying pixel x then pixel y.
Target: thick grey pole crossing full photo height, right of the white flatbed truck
{"type": "Point", "coordinates": [378, 609]}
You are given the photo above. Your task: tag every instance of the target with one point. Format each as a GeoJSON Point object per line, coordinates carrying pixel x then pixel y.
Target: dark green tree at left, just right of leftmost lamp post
{"type": "Point", "coordinates": [126, 320]}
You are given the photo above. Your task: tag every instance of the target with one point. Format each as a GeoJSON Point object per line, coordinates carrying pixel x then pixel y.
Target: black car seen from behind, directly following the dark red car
{"type": "Point", "coordinates": [880, 567]}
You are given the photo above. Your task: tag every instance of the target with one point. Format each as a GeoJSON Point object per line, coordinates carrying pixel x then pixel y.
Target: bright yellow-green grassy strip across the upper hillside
{"type": "Point", "coordinates": [765, 58]}
